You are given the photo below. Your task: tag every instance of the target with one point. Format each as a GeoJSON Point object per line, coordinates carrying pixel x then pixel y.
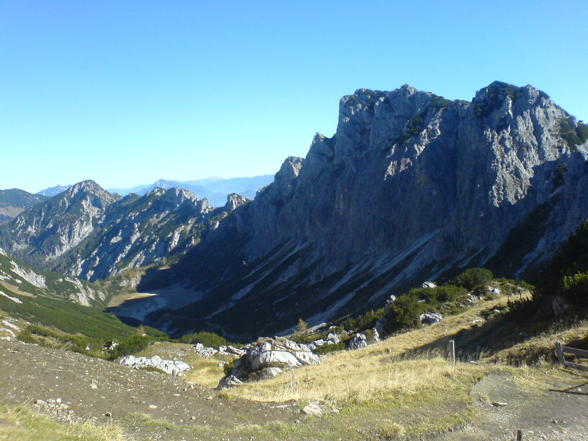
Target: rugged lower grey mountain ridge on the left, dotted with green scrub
{"type": "Point", "coordinates": [90, 233]}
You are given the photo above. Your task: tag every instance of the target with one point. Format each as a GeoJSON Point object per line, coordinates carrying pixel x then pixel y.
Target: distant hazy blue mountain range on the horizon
{"type": "Point", "coordinates": [215, 190]}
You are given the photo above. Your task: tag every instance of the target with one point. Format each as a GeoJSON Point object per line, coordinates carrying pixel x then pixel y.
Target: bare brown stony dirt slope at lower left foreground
{"type": "Point", "coordinates": [84, 388]}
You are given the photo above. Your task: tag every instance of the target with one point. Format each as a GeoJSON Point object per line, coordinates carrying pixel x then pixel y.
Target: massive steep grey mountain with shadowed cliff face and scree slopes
{"type": "Point", "coordinates": [411, 187]}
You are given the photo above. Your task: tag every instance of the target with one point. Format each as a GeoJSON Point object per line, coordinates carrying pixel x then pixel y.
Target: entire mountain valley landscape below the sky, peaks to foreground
{"type": "Point", "coordinates": [321, 309]}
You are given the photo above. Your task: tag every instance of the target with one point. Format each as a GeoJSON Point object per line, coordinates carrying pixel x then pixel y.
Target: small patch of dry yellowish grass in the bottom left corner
{"type": "Point", "coordinates": [18, 423]}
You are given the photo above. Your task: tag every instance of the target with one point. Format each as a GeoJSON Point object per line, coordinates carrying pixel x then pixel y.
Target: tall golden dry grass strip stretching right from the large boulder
{"type": "Point", "coordinates": [377, 370]}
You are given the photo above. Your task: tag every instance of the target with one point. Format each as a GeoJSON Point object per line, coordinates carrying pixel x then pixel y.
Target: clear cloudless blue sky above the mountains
{"type": "Point", "coordinates": [126, 92]}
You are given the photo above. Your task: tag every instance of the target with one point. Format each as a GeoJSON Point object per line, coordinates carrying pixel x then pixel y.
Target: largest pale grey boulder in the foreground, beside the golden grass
{"type": "Point", "coordinates": [268, 359]}
